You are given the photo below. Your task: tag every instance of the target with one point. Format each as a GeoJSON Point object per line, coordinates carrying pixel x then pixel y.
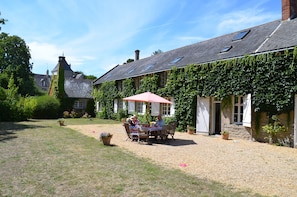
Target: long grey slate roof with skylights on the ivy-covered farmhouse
{"type": "Point", "coordinates": [270, 36]}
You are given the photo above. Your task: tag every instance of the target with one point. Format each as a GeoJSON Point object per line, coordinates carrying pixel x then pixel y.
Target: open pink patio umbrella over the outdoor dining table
{"type": "Point", "coordinates": [147, 97]}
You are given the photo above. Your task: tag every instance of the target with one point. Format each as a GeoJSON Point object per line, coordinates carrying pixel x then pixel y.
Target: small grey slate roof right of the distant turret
{"type": "Point", "coordinates": [78, 88]}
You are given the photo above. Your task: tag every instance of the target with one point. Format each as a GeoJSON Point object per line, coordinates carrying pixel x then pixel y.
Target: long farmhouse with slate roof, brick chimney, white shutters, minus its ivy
{"type": "Point", "coordinates": [211, 117]}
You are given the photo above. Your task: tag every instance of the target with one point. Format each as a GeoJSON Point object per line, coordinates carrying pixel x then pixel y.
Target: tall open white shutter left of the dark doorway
{"type": "Point", "coordinates": [202, 118]}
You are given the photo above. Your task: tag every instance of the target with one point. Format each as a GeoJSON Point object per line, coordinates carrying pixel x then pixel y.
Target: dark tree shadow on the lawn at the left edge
{"type": "Point", "coordinates": [8, 130]}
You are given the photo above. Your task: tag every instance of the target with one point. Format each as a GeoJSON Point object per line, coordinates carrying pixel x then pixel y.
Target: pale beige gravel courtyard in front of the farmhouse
{"type": "Point", "coordinates": [262, 168]}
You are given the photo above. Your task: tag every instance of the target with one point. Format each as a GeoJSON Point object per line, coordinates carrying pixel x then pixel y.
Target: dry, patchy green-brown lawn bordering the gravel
{"type": "Point", "coordinates": [40, 158]}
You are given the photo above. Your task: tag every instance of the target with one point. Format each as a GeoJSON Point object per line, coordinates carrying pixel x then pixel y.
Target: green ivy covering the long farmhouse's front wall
{"type": "Point", "coordinates": [271, 79]}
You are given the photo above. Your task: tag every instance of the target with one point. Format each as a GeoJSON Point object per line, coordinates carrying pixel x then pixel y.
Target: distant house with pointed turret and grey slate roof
{"type": "Point", "coordinates": [76, 87]}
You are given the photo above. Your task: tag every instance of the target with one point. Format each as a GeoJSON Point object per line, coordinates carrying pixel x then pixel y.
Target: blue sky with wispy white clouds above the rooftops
{"type": "Point", "coordinates": [96, 35]}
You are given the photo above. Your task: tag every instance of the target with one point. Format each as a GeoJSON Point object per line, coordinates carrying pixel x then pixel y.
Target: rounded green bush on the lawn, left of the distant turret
{"type": "Point", "coordinates": [47, 107]}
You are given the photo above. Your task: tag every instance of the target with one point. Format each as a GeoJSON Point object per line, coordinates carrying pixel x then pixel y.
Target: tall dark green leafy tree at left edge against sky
{"type": "Point", "coordinates": [15, 60]}
